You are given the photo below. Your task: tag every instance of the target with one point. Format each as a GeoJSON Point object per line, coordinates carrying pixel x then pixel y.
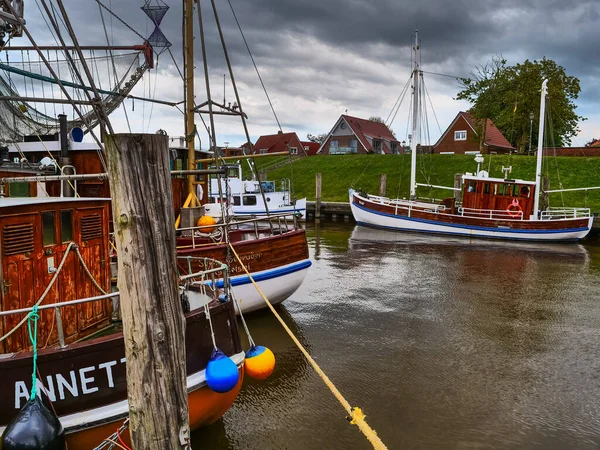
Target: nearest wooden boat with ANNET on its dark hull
{"type": "Point", "coordinates": [63, 243]}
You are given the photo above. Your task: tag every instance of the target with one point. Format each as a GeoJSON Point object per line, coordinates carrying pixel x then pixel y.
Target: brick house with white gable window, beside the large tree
{"type": "Point", "coordinates": [462, 137]}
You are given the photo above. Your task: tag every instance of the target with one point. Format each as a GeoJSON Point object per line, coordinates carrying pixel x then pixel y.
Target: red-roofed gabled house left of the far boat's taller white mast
{"type": "Point", "coordinates": [355, 135]}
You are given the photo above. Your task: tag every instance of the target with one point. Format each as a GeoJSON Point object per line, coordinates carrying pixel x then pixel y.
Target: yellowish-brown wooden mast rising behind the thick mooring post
{"type": "Point", "coordinates": [188, 61]}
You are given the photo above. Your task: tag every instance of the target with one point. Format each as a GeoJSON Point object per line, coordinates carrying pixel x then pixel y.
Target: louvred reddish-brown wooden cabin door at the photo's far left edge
{"type": "Point", "coordinates": [18, 279]}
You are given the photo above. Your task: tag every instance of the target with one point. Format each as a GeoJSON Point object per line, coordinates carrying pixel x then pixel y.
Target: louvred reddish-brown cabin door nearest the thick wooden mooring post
{"type": "Point", "coordinates": [89, 232]}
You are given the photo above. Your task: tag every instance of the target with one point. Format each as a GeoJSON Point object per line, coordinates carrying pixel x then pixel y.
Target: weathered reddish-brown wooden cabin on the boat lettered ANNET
{"type": "Point", "coordinates": [34, 236]}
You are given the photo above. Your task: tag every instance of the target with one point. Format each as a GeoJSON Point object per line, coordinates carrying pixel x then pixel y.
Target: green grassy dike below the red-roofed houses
{"type": "Point", "coordinates": [340, 172]}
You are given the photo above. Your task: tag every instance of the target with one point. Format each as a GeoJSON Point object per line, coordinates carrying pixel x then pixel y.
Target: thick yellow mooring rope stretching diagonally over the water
{"type": "Point", "coordinates": [355, 414]}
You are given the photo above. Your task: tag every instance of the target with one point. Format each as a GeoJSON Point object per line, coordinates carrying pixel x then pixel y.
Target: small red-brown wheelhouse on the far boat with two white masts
{"type": "Point", "coordinates": [498, 194]}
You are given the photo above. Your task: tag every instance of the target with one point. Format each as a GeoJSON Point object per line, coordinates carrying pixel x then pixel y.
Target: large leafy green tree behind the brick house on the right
{"type": "Point", "coordinates": [510, 96]}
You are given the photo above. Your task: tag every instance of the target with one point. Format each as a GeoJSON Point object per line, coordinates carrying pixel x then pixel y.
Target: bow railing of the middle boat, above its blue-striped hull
{"type": "Point", "coordinates": [280, 223]}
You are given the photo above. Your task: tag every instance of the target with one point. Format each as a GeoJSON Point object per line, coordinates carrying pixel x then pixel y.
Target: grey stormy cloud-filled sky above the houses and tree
{"type": "Point", "coordinates": [356, 53]}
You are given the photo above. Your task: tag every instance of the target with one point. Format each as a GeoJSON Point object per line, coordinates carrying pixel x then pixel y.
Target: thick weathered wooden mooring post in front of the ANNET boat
{"type": "Point", "coordinates": [153, 322]}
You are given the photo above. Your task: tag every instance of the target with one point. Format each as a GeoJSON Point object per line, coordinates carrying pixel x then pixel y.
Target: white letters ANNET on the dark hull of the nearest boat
{"type": "Point", "coordinates": [78, 382]}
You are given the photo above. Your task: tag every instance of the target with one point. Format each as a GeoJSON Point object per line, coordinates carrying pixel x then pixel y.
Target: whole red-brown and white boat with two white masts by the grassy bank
{"type": "Point", "coordinates": [498, 208]}
